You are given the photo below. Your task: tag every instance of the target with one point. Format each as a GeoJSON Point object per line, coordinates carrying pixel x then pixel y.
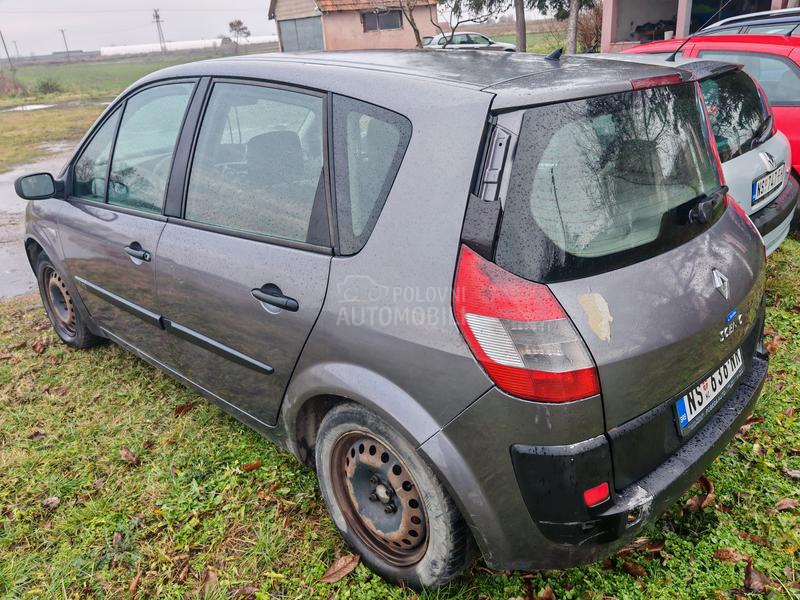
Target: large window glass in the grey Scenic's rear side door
{"type": "Point", "coordinates": [257, 166]}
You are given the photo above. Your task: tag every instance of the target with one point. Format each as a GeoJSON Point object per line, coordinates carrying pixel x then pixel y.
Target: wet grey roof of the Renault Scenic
{"type": "Point", "coordinates": [515, 78]}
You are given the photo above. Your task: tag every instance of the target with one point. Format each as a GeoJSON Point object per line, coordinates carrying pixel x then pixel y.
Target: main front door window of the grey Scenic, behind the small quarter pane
{"type": "Point", "coordinates": [146, 141]}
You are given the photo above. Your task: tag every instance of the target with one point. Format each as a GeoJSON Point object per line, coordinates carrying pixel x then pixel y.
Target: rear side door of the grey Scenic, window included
{"type": "Point", "coordinates": [242, 271]}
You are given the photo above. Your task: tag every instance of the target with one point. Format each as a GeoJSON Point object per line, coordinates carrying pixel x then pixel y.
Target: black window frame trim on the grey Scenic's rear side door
{"type": "Point", "coordinates": [180, 217]}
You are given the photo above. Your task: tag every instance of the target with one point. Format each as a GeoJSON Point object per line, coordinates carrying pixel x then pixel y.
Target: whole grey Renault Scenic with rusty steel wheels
{"type": "Point", "coordinates": [527, 346]}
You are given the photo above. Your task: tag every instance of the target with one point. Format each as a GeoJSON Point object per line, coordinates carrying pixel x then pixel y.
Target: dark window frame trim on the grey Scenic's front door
{"type": "Point", "coordinates": [121, 103]}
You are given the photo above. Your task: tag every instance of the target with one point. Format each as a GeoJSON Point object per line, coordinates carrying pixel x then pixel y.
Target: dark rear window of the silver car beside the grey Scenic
{"type": "Point", "coordinates": [736, 111]}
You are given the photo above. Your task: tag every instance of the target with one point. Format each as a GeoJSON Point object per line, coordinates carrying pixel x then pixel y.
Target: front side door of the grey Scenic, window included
{"type": "Point", "coordinates": [113, 219]}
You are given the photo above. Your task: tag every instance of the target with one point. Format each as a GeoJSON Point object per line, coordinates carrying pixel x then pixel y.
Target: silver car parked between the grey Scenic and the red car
{"type": "Point", "coordinates": [756, 157]}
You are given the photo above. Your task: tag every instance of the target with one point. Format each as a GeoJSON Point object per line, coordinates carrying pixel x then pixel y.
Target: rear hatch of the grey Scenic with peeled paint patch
{"type": "Point", "coordinates": [615, 204]}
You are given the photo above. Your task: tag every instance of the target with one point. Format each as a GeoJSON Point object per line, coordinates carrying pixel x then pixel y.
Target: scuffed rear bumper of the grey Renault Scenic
{"type": "Point", "coordinates": [523, 500]}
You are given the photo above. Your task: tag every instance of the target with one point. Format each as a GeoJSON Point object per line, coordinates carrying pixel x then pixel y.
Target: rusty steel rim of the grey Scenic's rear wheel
{"type": "Point", "coordinates": [379, 498]}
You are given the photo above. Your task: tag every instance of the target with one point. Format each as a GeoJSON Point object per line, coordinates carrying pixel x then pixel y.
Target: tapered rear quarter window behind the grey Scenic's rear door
{"type": "Point", "coordinates": [369, 143]}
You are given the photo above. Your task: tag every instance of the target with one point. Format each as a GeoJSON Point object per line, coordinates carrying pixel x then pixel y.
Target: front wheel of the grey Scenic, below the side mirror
{"type": "Point", "coordinates": [65, 318]}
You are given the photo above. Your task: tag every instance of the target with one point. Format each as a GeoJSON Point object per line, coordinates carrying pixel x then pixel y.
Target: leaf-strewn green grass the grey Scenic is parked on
{"type": "Point", "coordinates": [188, 507]}
